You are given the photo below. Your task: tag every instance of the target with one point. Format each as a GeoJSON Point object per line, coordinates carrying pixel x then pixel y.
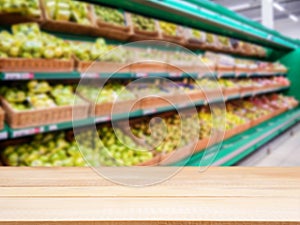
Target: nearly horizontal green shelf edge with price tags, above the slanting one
{"type": "Point", "coordinates": [76, 75]}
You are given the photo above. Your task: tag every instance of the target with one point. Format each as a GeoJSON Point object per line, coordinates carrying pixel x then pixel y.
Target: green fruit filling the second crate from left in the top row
{"type": "Point", "coordinates": [68, 10]}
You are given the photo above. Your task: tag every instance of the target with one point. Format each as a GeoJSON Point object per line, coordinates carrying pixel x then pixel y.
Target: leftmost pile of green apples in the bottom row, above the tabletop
{"type": "Point", "coordinates": [44, 150]}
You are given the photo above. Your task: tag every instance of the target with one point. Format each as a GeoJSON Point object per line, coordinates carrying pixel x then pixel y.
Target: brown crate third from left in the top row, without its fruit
{"type": "Point", "coordinates": [110, 30]}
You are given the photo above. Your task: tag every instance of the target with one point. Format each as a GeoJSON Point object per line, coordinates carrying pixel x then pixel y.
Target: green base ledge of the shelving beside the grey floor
{"type": "Point", "coordinates": [239, 146]}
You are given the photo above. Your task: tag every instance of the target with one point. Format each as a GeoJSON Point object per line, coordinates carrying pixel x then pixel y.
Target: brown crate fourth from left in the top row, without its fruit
{"type": "Point", "coordinates": [138, 34]}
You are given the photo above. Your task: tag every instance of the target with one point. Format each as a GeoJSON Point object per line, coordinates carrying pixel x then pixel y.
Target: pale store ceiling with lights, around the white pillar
{"type": "Point", "coordinates": [252, 8]}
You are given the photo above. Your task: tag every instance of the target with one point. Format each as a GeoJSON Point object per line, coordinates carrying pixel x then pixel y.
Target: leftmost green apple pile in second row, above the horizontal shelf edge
{"type": "Point", "coordinates": [27, 41]}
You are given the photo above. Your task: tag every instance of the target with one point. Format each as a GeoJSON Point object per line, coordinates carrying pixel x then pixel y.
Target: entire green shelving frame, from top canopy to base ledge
{"type": "Point", "coordinates": [207, 16]}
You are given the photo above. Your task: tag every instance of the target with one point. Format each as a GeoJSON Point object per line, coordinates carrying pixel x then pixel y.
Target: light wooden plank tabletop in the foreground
{"type": "Point", "coordinates": [216, 196]}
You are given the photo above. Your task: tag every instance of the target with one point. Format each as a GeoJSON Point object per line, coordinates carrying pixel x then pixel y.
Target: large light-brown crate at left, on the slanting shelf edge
{"type": "Point", "coordinates": [38, 117]}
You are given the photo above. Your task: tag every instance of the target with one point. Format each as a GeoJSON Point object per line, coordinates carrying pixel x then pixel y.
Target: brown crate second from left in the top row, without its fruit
{"type": "Point", "coordinates": [69, 26]}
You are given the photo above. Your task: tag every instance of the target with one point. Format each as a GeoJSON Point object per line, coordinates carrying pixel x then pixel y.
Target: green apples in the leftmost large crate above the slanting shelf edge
{"type": "Point", "coordinates": [37, 95]}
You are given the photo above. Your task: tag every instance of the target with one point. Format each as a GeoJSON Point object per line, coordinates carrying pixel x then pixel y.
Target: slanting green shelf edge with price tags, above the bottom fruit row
{"type": "Point", "coordinates": [16, 133]}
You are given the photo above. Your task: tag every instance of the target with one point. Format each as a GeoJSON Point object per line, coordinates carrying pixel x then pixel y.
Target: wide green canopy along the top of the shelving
{"type": "Point", "coordinates": [206, 16]}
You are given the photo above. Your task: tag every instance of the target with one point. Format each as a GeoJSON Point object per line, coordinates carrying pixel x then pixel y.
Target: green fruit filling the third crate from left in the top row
{"type": "Point", "coordinates": [109, 15]}
